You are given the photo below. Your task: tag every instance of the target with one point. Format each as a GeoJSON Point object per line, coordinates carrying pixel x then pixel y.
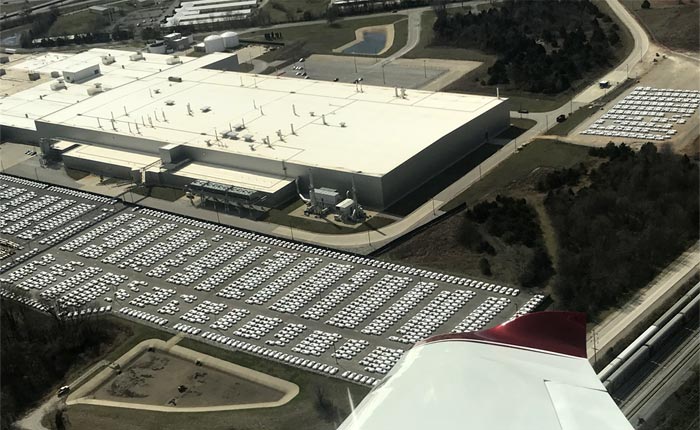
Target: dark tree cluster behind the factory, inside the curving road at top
{"type": "Point", "coordinates": [541, 46]}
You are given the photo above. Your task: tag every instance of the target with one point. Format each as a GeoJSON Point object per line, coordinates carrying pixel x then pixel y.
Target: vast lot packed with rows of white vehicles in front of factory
{"type": "Point", "coordinates": [330, 312]}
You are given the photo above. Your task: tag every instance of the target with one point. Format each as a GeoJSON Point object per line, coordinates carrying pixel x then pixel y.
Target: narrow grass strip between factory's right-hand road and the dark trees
{"type": "Point", "coordinates": [539, 153]}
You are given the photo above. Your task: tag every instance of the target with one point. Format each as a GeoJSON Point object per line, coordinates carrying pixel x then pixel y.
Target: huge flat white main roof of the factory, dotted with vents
{"type": "Point", "coordinates": [372, 131]}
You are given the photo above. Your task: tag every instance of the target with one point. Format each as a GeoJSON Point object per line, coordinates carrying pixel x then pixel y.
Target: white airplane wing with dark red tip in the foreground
{"type": "Point", "coordinates": [530, 373]}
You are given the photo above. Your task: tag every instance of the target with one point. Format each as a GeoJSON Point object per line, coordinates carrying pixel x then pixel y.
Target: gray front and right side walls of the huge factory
{"type": "Point", "coordinates": [373, 191]}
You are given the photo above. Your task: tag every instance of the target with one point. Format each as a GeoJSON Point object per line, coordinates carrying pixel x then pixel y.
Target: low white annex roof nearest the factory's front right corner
{"type": "Point", "coordinates": [240, 178]}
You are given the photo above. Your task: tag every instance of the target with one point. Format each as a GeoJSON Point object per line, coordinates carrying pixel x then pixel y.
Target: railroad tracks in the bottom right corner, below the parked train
{"type": "Point", "coordinates": [684, 354]}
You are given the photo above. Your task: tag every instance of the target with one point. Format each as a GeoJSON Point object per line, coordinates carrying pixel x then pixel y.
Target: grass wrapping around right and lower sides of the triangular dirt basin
{"type": "Point", "coordinates": [303, 412]}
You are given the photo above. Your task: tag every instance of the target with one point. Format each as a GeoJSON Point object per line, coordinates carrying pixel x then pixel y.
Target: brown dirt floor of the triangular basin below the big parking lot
{"type": "Point", "coordinates": [158, 378]}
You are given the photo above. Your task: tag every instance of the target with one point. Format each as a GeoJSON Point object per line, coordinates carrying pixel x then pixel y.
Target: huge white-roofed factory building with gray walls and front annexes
{"type": "Point", "coordinates": [158, 121]}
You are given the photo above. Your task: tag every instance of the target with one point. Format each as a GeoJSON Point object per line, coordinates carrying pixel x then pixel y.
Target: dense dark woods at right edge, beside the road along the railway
{"type": "Point", "coordinates": [638, 212]}
